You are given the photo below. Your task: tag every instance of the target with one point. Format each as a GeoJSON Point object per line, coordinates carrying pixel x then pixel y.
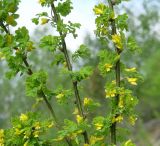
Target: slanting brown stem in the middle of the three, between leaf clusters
{"type": "Point", "coordinates": [69, 66]}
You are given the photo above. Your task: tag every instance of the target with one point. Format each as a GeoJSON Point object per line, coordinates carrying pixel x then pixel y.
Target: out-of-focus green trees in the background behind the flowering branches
{"type": "Point", "coordinates": [144, 22]}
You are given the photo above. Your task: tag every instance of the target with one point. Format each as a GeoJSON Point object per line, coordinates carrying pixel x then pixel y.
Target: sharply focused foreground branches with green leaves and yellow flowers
{"type": "Point", "coordinates": [15, 48]}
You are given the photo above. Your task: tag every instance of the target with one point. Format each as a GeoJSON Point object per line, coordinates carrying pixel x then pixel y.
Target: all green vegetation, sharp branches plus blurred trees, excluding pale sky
{"type": "Point", "coordinates": [84, 98]}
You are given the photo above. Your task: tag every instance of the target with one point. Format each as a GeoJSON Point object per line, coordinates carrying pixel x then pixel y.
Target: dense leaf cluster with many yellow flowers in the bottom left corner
{"type": "Point", "coordinates": [28, 130]}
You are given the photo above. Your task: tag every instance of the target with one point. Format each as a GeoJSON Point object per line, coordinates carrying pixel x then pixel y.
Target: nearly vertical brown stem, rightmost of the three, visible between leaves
{"type": "Point", "coordinates": [117, 74]}
